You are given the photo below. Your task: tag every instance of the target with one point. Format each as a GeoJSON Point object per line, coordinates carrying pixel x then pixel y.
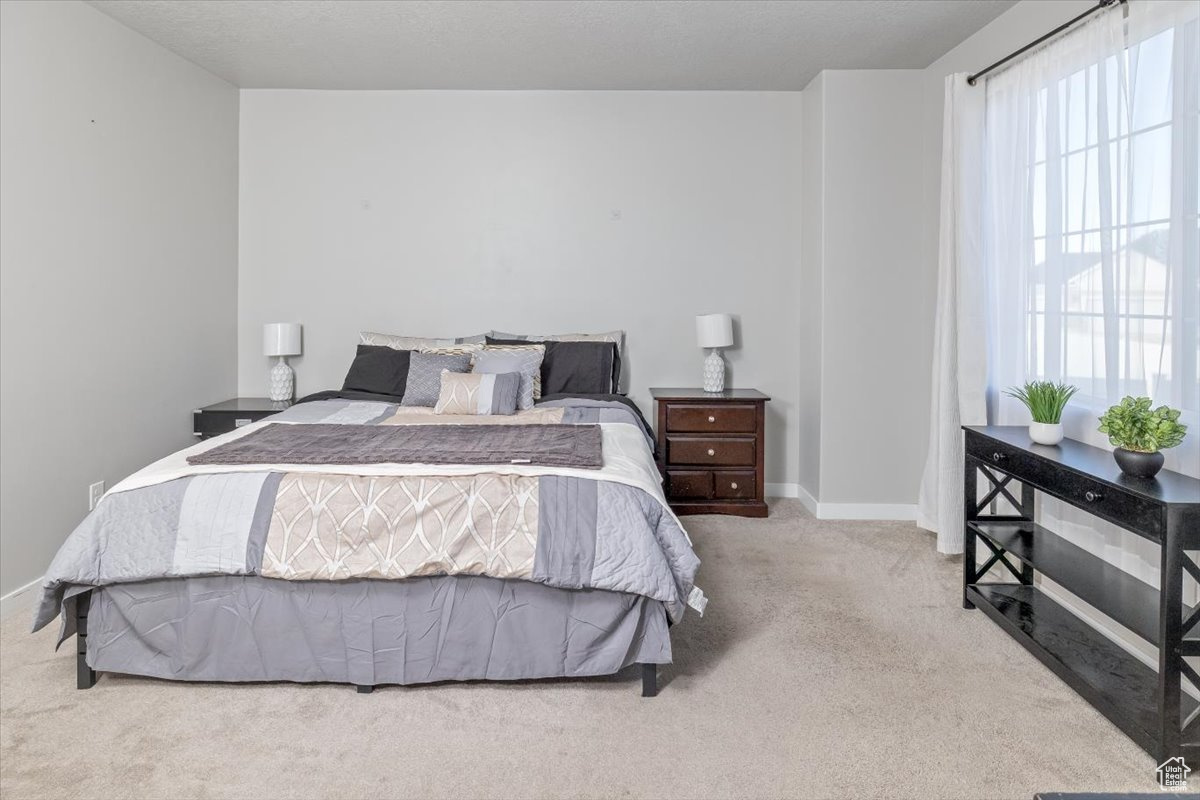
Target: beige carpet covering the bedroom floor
{"type": "Point", "coordinates": [835, 661]}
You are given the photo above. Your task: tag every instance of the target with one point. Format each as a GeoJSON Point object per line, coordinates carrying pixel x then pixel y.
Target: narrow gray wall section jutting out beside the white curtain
{"type": "Point", "coordinates": [863, 202]}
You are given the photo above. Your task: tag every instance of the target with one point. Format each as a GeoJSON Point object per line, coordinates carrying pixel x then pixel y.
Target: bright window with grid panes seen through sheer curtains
{"type": "Point", "coordinates": [1113, 290]}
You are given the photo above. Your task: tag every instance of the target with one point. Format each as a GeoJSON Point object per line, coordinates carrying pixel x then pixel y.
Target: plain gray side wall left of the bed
{"type": "Point", "coordinates": [118, 263]}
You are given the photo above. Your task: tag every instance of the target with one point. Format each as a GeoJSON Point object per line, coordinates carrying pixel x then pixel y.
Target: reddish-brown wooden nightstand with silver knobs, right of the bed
{"type": "Point", "coordinates": [712, 450]}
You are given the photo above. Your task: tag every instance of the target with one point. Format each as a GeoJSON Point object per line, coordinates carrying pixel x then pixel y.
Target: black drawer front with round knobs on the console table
{"type": "Point", "coordinates": [1082, 491]}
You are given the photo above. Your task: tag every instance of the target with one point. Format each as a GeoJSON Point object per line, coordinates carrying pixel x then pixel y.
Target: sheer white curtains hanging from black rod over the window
{"type": "Point", "coordinates": [1090, 258]}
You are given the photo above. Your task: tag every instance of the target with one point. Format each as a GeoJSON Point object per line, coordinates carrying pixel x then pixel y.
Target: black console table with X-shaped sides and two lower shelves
{"type": "Point", "coordinates": [1150, 707]}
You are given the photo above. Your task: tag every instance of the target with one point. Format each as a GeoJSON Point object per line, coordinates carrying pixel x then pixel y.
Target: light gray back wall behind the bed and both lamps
{"type": "Point", "coordinates": [448, 213]}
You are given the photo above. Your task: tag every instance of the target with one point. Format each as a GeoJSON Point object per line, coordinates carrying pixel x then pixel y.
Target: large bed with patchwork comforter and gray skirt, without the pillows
{"type": "Point", "coordinates": [393, 573]}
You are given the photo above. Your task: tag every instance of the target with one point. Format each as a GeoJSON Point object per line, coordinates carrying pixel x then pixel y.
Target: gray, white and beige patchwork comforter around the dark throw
{"type": "Point", "coordinates": [548, 526]}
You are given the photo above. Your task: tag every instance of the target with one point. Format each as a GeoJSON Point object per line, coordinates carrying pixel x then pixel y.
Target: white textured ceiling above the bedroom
{"type": "Point", "coordinates": [685, 45]}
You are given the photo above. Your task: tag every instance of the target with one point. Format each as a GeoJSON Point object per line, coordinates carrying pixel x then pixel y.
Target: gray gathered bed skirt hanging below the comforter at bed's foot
{"type": "Point", "coordinates": [369, 633]}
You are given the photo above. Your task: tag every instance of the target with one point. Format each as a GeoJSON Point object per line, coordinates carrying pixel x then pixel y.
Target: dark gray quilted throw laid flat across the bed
{"type": "Point", "coordinates": [539, 446]}
